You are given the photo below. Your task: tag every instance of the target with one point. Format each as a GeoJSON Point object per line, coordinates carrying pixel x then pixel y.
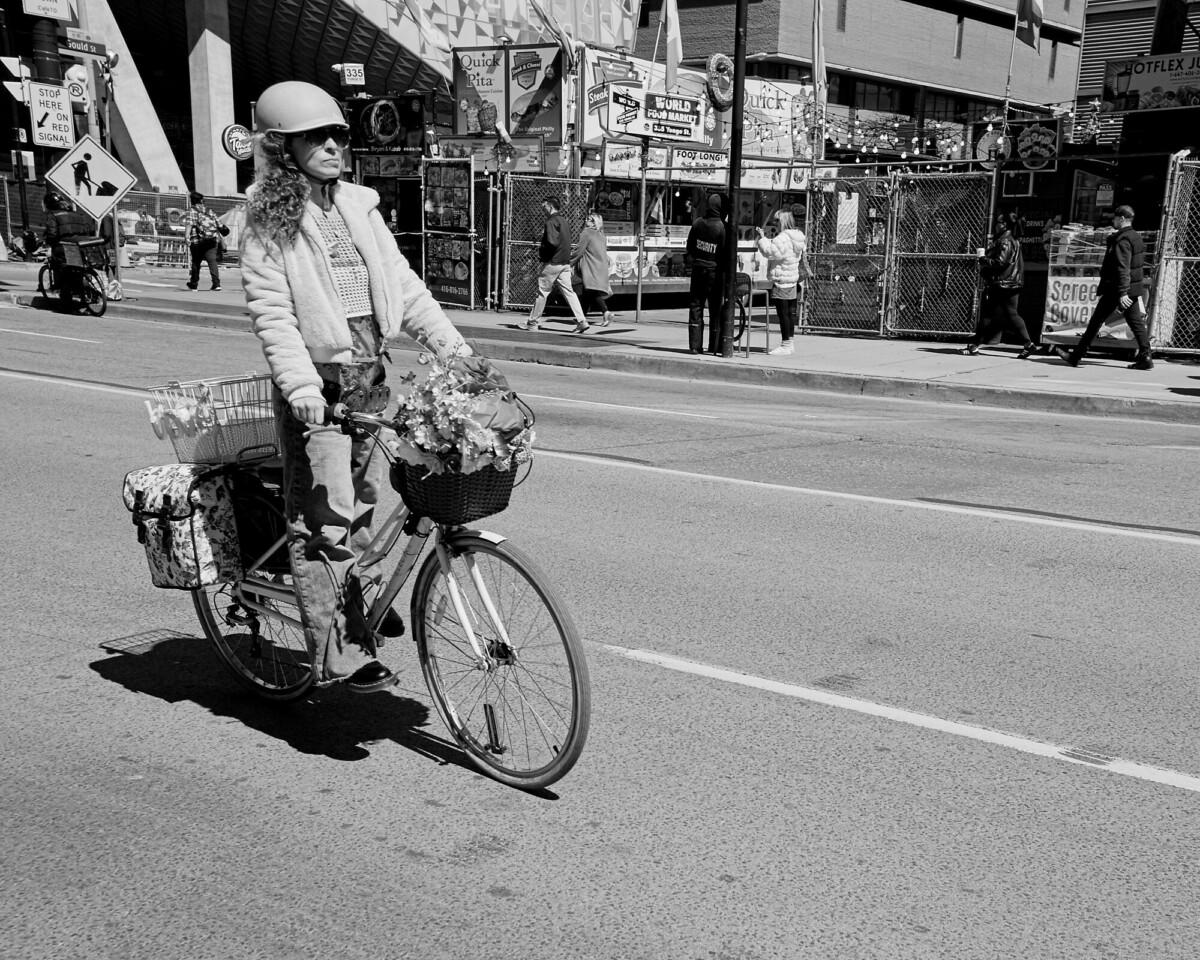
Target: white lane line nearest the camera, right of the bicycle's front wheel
{"type": "Point", "coordinates": [1009, 741]}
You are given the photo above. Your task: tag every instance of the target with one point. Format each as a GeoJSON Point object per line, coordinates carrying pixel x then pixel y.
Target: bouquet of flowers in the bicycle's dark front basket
{"type": "Point", "coordinates": [461, 417]}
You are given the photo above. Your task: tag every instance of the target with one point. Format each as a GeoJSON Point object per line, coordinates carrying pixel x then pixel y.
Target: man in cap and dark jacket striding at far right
{"type": "Point", "coordinates": [1121, 289]}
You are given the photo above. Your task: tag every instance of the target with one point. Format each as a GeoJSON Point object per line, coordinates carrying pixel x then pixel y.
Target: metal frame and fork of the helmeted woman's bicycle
{"type": "Point", "coordinates": [256, 585]}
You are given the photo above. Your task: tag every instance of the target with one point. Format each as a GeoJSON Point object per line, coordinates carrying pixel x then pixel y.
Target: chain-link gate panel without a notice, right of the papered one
{"type": "Point", "coordinates": [939, 224]}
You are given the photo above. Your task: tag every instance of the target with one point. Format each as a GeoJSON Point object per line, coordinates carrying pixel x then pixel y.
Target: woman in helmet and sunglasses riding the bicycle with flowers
{"type": "Point", "coordinates": [327, 290]}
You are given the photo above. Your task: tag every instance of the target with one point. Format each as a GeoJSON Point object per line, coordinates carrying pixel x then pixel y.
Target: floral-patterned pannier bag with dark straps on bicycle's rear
{"type": "Point", "coordinates": [185, 519]}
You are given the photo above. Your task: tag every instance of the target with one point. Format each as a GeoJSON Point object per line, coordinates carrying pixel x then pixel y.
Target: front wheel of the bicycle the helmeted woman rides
{"type": "Point", "coordinates": [521, 717]}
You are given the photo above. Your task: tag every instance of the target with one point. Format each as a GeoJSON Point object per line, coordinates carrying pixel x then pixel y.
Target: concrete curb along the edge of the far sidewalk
{"type": "Point", "coordinates": [719, 370]}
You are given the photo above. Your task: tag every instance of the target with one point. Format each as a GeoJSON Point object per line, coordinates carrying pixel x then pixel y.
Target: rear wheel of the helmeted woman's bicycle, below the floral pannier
{"type": "Point", "coordinates": [267, 653]}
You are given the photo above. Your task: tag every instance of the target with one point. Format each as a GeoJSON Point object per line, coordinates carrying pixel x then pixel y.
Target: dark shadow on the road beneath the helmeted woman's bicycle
{"type": "Point", "coordinates": [329, 723]}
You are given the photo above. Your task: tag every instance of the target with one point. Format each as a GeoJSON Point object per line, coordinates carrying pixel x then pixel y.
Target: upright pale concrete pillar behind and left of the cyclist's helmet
{"type": "Point", "coordinates": [211, 68]}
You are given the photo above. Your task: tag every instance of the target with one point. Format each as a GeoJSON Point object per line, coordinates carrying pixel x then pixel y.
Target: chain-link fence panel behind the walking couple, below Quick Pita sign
{"type": "Point", "coordinates": [524, 225]}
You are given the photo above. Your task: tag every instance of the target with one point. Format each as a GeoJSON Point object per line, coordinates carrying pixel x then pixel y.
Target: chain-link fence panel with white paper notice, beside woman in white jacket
{"type": "Point", "coordinates": [848, 233]}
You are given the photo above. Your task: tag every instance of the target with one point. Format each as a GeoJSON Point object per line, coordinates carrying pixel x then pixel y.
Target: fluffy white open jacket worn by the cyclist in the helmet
{"type": "Point", "coordinates": [297, 313]}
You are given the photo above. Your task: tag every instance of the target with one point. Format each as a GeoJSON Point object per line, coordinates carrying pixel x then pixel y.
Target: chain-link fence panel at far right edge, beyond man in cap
{"type": "Point", "coordinates": [1175, 308]}
